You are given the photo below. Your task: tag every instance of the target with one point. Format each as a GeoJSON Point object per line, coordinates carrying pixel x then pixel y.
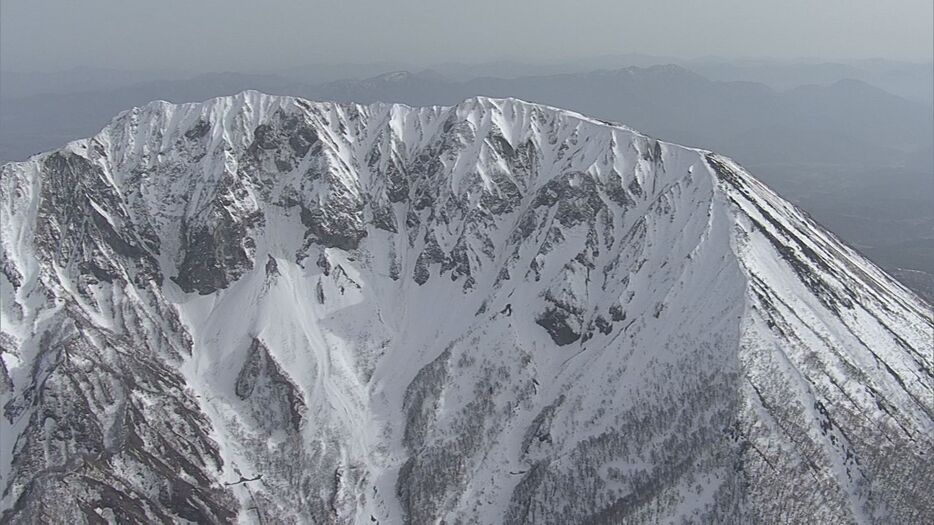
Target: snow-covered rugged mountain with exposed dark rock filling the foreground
{"type": "Point", "coordinates": [267, 309]}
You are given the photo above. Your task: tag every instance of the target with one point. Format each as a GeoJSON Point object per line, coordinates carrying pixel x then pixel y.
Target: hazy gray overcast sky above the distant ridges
{"type": "Point", "coordinates": [253, 34]}
